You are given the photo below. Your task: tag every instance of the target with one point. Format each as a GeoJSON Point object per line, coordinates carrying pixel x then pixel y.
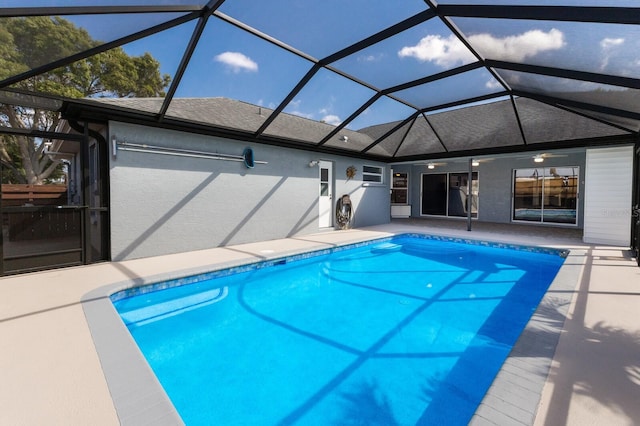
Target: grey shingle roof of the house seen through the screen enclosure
{"type": "Point", "coordinates": [492, 125]}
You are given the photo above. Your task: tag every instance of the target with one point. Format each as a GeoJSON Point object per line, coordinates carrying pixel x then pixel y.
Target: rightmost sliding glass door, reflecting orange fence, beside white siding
{"type": "Point", "coordinates": [546, 194]}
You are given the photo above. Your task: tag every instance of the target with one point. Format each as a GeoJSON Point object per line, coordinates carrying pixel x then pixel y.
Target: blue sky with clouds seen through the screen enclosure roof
{"type": "Point", "coordinates": [231, 63]}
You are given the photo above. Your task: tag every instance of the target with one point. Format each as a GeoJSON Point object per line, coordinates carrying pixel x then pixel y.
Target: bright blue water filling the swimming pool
{"type": "Point", "coordinates": [402, 331]}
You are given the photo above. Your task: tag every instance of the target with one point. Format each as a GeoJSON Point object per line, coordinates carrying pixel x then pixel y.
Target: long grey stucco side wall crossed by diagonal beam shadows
{"type": "Point", "coordinates": [163, 204]}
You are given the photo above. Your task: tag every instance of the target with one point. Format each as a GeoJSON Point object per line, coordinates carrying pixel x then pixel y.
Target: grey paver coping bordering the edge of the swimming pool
{"type": "Point", "coordinates": [513, 397]}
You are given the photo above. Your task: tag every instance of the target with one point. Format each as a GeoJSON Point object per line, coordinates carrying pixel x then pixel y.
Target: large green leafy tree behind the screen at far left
{"type": "Point", "coordinates": [30, 42]}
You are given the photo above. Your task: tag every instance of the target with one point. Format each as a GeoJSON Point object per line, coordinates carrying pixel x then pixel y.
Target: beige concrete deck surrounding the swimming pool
{"type": "Point", "coordinates": [587, 331]}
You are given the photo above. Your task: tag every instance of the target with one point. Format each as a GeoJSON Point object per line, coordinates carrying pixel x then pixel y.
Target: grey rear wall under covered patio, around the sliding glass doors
{"type": "Point", "coordinates": [495, 182]}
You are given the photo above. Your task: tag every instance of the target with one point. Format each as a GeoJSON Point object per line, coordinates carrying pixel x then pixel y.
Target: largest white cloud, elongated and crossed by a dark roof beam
{"type": "Point", "coordinates": [450, 51]}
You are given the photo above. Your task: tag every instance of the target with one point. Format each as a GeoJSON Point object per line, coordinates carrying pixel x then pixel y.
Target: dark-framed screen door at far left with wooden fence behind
{"type": "Point", "coordinates": [43, 218]}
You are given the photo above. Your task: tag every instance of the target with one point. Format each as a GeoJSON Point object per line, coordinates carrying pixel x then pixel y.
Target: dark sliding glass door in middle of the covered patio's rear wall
{"type": "Point", "coordinates": [446, 194]}
